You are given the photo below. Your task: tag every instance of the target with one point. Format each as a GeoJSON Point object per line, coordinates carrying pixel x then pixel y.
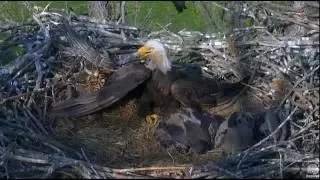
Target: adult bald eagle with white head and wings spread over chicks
{"type": "Point", "coordinates": [166, 85]}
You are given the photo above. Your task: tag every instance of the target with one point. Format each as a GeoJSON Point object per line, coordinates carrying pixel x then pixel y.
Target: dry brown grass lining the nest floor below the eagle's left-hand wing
{"type": "Point", "coordinates": [119, 138]}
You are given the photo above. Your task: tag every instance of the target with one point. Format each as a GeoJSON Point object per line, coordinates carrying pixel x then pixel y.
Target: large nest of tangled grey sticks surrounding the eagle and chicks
{"type": "Point", "coordinates": [281, 48]}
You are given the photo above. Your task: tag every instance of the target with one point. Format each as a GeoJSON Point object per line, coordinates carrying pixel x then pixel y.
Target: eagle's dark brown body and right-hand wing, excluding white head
{"type": "Point", "coordinates": [186, 86]}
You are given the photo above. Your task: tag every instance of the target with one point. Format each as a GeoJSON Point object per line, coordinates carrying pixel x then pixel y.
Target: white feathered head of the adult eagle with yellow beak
{"type": "Point", "coordinates": [155, 54]}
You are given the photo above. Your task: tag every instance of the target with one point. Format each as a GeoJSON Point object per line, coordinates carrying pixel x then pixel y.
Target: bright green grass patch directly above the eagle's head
{"type": "Point", "coordinates": [163, 13]}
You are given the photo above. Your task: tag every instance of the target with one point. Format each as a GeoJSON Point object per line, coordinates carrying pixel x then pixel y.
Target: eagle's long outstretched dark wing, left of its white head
{"type": "Point", "coordinates": [121, 83]}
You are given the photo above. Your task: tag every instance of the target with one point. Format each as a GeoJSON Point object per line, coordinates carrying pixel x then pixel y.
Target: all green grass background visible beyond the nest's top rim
{"type": "Point", "coordinates": [148, 15]}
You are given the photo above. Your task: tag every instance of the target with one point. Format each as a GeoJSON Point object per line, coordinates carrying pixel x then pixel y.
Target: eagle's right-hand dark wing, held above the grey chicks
{"type": "Point", "coordinates": [195, 90]}
